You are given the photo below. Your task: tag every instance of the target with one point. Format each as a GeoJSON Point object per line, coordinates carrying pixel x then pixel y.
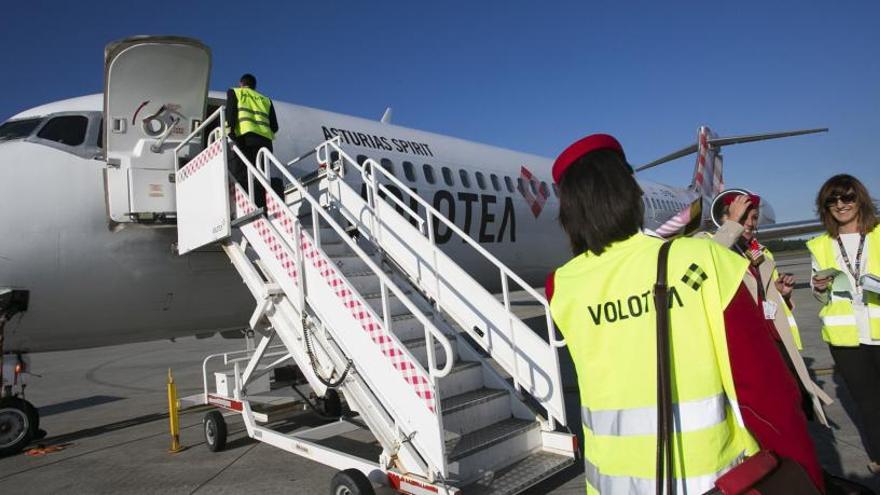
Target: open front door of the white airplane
{"type": "Point", "coordinates": [155, 94]}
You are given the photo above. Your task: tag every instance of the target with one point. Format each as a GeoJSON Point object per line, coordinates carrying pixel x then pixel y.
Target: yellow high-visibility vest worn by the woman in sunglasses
{"type": "Point", "coordinates": [838, 319]}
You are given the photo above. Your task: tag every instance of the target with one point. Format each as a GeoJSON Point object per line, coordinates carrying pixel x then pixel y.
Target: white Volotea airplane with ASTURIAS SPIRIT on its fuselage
{"type": "Point", "coordinates": [88, 252]}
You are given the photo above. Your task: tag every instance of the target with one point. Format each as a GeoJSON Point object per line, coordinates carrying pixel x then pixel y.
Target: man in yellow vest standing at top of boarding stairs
{"type": "Point", "coordinates": [252, 125]}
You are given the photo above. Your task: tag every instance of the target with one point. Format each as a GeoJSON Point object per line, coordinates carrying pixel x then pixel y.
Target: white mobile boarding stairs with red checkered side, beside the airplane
{"type": "Point", "coordinates": [449, 391]}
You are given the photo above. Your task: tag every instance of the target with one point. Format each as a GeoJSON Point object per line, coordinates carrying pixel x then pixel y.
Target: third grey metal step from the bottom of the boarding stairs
{"type": "Point", "coordinates": [476, 409]}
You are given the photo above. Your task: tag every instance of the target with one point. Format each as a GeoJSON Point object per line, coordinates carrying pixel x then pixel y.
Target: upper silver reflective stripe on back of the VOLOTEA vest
{"type": "Point", "coordinates": [688, 416]}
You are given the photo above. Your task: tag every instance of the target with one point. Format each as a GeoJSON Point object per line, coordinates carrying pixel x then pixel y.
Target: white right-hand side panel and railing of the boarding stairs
{"type": "Point", "coordinates": [532, 362]}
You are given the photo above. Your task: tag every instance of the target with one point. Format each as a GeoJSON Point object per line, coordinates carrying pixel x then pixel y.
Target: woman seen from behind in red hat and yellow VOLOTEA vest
{"type": "Point", "coordinates": [731, 390]}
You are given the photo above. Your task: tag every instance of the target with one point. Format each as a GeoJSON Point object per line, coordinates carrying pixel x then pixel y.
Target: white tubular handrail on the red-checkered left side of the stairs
{"type": "Point", "coordinates": [431, 331]}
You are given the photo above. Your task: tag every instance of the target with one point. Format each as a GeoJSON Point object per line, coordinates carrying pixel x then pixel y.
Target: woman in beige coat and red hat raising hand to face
{"type": "Point", "coordinates": [737, 213]}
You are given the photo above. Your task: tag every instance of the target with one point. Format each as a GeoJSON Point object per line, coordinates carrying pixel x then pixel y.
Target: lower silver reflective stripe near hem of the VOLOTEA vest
{"type": "Point", "coordinates": [615, 485]}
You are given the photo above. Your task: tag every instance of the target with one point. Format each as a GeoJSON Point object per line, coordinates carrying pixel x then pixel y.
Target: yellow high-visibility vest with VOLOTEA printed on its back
{"type": "Point", "coordinates": [604, 307]}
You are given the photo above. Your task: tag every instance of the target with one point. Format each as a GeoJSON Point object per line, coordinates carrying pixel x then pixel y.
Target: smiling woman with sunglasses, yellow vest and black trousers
{"type": "Point", "coordinates": [842, 258]}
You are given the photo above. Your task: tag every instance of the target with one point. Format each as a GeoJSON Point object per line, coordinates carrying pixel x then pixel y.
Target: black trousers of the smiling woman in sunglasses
{"type": "Point", "coordinates": [860, 369]}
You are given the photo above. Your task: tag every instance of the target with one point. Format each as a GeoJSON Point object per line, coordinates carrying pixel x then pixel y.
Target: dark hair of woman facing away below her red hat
{"type": "Point", "coordinates": [600, 202]}
